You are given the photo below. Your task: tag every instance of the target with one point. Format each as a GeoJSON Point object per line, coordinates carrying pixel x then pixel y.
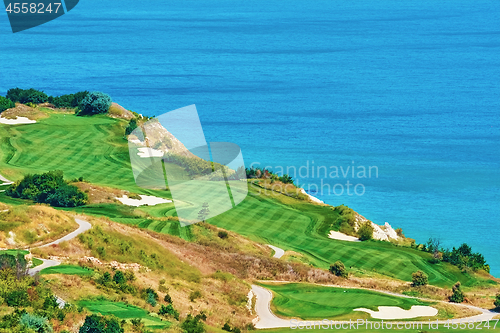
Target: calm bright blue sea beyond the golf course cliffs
{"type": "Point", "coordinates": [411, 87]}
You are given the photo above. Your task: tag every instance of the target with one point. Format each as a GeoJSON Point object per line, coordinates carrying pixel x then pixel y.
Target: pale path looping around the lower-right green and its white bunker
{"type": "Point", "coordinates": [267, 319]}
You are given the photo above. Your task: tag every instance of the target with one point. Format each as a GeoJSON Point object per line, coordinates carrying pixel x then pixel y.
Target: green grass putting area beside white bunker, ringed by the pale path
{"type": "Point", "coordinates": [317, 302]}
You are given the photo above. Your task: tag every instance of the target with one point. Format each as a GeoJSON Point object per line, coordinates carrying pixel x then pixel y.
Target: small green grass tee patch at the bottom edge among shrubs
{"type": "Point", "coordinates": [123, 311]}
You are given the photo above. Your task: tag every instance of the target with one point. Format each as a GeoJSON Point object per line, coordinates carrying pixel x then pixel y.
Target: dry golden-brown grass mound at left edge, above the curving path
{"type": "Point", "coordinates": [34, 225]}
